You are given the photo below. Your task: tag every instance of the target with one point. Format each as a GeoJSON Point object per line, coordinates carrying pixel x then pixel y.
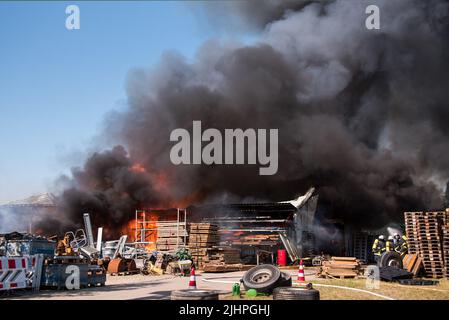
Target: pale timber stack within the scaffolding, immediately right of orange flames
{"type": "Point", "coordinates": [170, 236]}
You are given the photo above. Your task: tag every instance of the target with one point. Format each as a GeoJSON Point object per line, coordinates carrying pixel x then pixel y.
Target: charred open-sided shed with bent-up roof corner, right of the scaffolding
{"type": "Point", "coordinates": [263, 227]}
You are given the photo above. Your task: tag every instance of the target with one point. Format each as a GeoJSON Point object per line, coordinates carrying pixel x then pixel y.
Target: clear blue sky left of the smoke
{"type": "Point", "coordinates": [56, 85]}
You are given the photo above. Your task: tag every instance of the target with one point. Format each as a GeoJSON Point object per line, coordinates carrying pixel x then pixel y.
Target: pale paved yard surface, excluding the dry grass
{"type": "Point", "coordinates": [143, 287]}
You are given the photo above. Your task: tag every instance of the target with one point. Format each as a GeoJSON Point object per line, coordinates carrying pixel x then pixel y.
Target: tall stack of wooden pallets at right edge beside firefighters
{"type": "Point", "coordinates": [425, 234]}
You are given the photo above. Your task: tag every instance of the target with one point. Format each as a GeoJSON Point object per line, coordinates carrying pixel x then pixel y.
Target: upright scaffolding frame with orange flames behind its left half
{"type": "Point", "coordinates": [164, 235]}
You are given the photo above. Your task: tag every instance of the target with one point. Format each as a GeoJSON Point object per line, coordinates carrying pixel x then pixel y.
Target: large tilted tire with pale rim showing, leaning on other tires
{"type": "Point", "coordinates": [263, 278]}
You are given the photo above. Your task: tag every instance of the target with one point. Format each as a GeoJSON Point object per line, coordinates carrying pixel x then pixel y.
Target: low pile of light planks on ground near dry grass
{"type": "Point", "coordinates": [340, 267]}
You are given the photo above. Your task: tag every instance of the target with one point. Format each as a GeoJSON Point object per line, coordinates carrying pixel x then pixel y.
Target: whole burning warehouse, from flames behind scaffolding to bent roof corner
{"type": "Point", "coordinates": [255, 229]}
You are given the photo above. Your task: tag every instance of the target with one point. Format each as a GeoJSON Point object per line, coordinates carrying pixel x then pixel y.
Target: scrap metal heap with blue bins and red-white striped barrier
{"type": "Point", "coordinates": [35, 262]}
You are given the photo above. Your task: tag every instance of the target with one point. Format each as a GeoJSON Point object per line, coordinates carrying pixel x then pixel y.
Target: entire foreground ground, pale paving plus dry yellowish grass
{"type": "Point", "coordinates": [142, 287]}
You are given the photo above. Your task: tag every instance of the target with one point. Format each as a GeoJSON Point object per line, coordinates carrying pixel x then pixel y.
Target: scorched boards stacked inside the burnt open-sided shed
{"type": "Point", "coordinates": [249, 238]}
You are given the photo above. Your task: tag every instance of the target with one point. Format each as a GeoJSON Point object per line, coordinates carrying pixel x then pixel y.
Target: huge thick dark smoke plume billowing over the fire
{"type": "Point", "coordinates": [362, 114]}
